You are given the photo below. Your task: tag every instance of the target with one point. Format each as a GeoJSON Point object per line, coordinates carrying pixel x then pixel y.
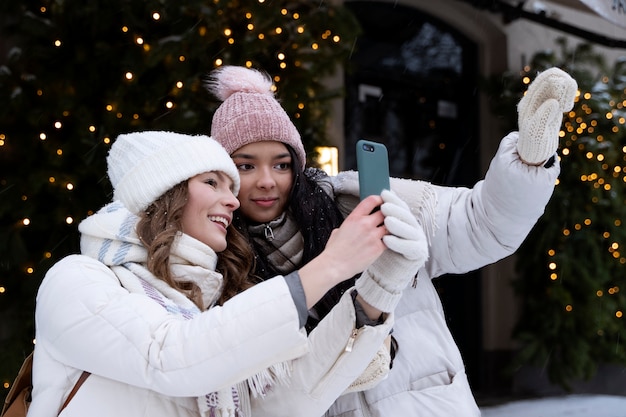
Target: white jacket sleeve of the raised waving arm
{"type": "Point", "coordinates": [476, 227]}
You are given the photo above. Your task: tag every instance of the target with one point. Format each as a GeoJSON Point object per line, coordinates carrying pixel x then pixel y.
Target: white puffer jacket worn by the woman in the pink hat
{"type": "Point", "coordinates": [471, 228]}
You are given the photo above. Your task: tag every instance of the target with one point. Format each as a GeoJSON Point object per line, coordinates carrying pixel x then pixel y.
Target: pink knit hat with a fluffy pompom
{"type": "Point", "coordinates": [249, 112]}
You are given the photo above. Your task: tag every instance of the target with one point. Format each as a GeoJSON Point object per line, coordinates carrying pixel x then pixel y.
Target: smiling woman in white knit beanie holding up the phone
{"type": "Point", "coordinates": [155, 323]}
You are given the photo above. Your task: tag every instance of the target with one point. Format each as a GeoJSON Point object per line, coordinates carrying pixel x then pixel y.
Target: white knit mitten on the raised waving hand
{"type": "Point", "coordinates": [540, 114]}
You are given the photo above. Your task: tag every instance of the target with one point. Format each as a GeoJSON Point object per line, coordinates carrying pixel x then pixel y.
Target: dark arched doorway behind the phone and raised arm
{"type": "Point", "coordinates": [412, 86]}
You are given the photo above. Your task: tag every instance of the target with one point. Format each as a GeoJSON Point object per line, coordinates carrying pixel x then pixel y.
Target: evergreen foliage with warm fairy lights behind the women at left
{"type": "Point", "coordinates": [75, 74]}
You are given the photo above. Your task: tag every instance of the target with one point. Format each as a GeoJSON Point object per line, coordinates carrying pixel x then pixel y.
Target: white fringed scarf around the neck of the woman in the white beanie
{"type": "Point", "coordinates": [110, 236]}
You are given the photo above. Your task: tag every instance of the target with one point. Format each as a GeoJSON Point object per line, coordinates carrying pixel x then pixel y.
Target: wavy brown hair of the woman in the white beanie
{"type": "Point", "coordinates": [159, 225]}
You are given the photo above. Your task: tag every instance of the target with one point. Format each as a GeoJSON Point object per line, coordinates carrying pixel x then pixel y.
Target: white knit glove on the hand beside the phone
{"type": "Point", "coordinates": [382, 283]}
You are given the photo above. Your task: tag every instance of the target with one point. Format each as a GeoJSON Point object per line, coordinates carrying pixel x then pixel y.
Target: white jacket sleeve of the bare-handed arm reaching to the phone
{"type": "Point", "coordinates": [87, 321]}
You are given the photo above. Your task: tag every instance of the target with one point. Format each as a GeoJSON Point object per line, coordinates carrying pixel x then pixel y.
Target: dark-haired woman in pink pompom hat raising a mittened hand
{"type": "Point", "coordinates": [287, 211]}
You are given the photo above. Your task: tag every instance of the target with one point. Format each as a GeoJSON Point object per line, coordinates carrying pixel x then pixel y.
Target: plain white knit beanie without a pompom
{"type": "Point", "coordinates": [142, 166]}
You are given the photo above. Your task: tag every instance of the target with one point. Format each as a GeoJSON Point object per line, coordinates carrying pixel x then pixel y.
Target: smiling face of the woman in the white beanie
{"type": "Point", "coordinates": [209, 209]}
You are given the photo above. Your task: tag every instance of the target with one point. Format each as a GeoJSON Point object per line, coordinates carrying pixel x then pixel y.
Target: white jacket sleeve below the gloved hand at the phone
{"type": "Point", "coordinates": [326, 372]}
